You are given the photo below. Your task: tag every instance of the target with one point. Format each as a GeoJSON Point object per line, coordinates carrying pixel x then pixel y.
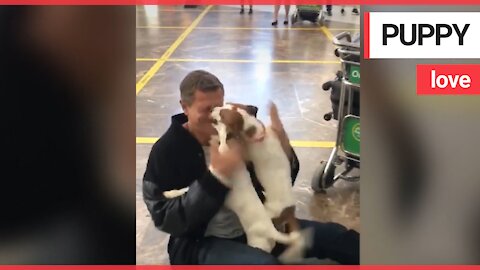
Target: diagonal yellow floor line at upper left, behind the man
{"type": "Point", "coordinates": [151, 72]}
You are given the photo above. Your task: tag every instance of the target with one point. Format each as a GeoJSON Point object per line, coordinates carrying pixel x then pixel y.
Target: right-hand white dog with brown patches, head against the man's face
{"type": "Point", "coordinates": [272, 168]}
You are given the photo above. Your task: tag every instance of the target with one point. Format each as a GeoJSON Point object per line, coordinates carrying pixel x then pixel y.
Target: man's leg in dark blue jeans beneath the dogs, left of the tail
{"type": "Point", "coordinates": [218, 251]}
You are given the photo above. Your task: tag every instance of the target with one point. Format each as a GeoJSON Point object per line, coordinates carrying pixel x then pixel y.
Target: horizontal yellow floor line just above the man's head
{"type": "Point", "coordinates": [322, 62]}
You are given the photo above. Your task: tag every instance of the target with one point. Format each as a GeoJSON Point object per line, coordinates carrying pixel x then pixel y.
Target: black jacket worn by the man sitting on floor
{"type": "Point", "coordinates": [177, 161]}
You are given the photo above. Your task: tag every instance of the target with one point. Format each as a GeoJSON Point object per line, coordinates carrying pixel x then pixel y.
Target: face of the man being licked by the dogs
{"type": "Point", "coordinates": [198, 112]}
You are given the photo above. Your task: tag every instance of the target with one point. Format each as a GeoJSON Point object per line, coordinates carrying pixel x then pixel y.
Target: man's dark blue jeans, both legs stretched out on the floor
{"type": "Point", "coordinates": [331, 240]}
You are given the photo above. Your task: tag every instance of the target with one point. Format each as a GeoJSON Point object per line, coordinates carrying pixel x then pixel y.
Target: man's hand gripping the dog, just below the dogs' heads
{"type": "Point", "coordinates": [227, 162]}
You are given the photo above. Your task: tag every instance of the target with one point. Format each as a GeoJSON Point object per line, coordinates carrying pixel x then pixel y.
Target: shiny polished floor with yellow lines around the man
{"type": "Point", "coordinates": [257, 63]}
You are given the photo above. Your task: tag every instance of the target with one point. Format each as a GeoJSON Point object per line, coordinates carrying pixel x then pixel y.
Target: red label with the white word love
{"type": "Point", "coordinates": [448, 79]}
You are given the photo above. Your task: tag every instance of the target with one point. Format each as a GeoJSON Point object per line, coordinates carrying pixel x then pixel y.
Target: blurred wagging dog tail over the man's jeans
{"type": "Point", "coordinates": [295, 252]}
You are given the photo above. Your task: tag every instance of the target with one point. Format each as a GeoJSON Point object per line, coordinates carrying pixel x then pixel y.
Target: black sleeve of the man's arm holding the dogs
{"type": "Point", "coordinates": [186, 215]}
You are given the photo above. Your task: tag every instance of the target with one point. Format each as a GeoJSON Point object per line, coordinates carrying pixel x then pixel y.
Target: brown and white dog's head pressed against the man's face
{"type": "Point", "coordinates": [239, 121]}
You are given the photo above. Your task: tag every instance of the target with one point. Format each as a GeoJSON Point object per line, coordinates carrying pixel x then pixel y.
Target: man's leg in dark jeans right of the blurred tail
{"type": "Point", "coordinates": [333, 241]}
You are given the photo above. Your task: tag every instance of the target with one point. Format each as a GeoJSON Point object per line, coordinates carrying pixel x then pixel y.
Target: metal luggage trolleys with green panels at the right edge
{"type": "Point", "coordinates": [345, 91]}
